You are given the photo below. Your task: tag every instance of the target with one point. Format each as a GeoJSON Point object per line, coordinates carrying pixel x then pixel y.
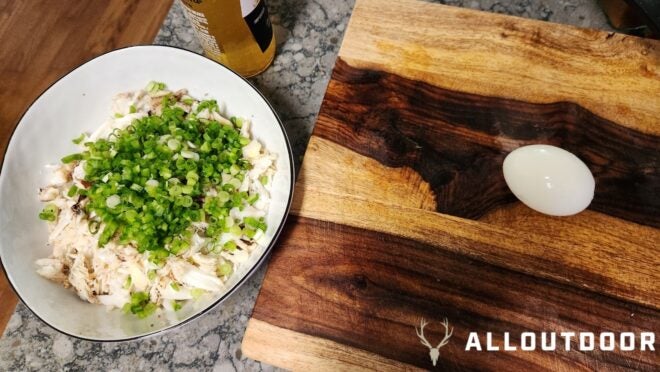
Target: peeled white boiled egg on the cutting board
{"type": "Point", "coordinates": [549, 179]}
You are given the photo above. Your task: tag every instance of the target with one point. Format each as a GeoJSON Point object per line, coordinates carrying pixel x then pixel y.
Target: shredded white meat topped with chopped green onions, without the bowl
{"type": "Point", "coordinates": [161, 204]}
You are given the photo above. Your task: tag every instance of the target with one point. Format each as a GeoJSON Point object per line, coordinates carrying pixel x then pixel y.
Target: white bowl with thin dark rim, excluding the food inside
{"type": "Point", "coordinates": [80, 102]}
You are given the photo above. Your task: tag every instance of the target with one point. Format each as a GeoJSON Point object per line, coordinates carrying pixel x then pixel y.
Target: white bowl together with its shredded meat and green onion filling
{"type": "Point", "coordinates": [165, 205]}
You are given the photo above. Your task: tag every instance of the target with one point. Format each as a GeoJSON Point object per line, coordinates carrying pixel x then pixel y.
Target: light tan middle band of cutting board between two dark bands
{"type": "Point", "coordinates": [589, 250]}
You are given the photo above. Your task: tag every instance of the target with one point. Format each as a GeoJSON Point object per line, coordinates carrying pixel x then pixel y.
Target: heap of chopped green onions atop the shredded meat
{"type": "Point", "coordinates": [150, 181]}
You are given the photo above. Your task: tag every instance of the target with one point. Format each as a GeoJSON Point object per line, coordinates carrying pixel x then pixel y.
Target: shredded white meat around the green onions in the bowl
{"type": "Point", "coordinates": [110, 274]}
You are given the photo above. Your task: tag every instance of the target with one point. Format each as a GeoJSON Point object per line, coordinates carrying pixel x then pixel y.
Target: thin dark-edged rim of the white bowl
{"type": "Point", "coordinates": [250, 272]}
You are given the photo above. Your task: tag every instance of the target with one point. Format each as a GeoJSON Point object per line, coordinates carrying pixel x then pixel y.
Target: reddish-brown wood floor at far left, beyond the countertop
{"type": "Point", "coordinates": [43, 40]}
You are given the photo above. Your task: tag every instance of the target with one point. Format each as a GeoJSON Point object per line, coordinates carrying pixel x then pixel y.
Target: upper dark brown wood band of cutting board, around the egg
{"type": "Point", "coordinates": [457, 142]}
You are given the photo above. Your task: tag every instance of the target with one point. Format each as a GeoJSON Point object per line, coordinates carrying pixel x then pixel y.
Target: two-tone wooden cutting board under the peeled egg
{"type": "Point", "coordinates": [401, 211]}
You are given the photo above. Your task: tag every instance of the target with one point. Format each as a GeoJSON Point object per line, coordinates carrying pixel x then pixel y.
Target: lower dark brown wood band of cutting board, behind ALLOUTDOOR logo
{"type": "Point", "coordinates": [368, 290]}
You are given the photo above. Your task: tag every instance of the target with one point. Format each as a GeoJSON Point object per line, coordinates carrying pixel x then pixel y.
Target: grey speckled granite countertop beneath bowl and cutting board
{"type": "Point", "coordinates": [309, 33]}
